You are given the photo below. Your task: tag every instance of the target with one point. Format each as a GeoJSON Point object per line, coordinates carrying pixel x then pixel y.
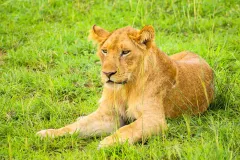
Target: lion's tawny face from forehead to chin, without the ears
{"type": "Point", "coordinates": [119, 57]}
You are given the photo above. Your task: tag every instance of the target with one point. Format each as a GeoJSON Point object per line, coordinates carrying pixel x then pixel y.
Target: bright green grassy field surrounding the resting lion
{"type": "Point", "coordinates": [49, 75]}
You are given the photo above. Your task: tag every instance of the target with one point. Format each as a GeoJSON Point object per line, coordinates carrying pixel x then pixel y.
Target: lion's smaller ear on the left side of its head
{"type": "Point", "coordinates": [98, 34]}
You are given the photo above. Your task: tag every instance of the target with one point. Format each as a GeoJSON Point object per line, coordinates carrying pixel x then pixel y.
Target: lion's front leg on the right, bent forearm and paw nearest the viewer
{"type": "Point", "coordinates": [142, 128]}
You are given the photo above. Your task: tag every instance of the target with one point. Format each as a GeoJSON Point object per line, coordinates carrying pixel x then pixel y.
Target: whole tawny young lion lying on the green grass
{"type": "Point", "coordinates": [142, 84]}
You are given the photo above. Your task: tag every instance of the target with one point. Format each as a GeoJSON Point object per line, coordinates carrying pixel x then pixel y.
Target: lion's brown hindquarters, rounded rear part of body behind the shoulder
{"type": "Point", "coordinates": [193, 90]}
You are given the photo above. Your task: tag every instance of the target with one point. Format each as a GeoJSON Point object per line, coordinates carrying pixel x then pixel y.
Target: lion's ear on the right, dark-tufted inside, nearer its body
{"type": "Point", "coordinates": [145, 36]}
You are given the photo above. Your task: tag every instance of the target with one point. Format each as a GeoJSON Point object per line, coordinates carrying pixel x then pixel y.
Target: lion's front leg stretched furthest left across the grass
{"type": "Point", "coordinates": [96, 123]}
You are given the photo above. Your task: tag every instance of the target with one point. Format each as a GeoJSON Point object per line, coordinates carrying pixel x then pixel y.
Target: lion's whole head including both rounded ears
{"type": "Point", "coordinates": [121, 52]}
